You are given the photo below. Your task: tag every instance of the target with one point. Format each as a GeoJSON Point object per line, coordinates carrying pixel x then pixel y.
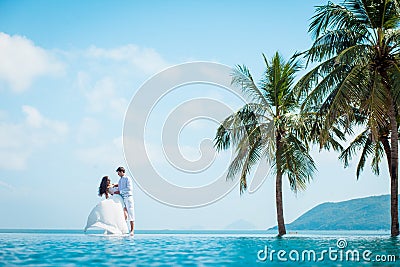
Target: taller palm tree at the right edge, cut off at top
{"type": "Point", "coordinates": [358, 45]}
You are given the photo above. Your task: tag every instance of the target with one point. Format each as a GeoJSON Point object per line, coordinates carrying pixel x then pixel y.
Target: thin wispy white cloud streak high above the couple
{"type": "Point", "coordinates": [145, 59]}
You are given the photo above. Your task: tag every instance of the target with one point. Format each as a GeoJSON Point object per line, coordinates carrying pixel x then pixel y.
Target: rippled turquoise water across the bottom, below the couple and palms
{"type": "Point", "coordinates": [202, 248]}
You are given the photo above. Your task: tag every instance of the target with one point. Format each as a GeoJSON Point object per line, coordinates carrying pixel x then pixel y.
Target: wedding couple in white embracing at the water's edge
{"type": "Point", "coordinates": [112, 213]}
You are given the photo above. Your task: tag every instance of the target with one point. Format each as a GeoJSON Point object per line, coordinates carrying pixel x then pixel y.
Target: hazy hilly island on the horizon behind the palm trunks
{"type": "Point", "coordinates": [369, 213]}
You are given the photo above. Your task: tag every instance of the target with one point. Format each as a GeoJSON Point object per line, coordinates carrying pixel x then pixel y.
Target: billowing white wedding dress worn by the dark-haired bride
{"type": "Point", "coordinates": [109, 216]}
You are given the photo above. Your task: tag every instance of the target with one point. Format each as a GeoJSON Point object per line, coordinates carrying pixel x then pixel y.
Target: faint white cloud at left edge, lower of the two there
{"type": "Point", "coordinates": [18, 141]}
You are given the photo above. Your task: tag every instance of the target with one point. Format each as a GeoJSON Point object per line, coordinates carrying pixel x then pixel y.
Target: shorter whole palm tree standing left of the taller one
{"type": "Point", "coordinates": [267, 129]}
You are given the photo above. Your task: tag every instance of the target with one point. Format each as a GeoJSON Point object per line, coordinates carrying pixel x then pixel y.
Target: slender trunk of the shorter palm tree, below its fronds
{"type": "Point", "coordinates": [278, 189]}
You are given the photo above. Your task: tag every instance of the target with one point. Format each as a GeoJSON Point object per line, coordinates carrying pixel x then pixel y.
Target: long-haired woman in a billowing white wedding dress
{"type": "Point", "coordinates": [109, 213]}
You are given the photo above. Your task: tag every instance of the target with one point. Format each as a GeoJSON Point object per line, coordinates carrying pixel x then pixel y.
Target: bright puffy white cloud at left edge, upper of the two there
{"type": "Point", "coordinates": [21, 62]}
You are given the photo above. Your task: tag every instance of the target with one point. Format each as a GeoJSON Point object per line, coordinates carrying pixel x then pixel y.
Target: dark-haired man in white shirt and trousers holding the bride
{"type": "Point", "coordinates": [125, 189]}
